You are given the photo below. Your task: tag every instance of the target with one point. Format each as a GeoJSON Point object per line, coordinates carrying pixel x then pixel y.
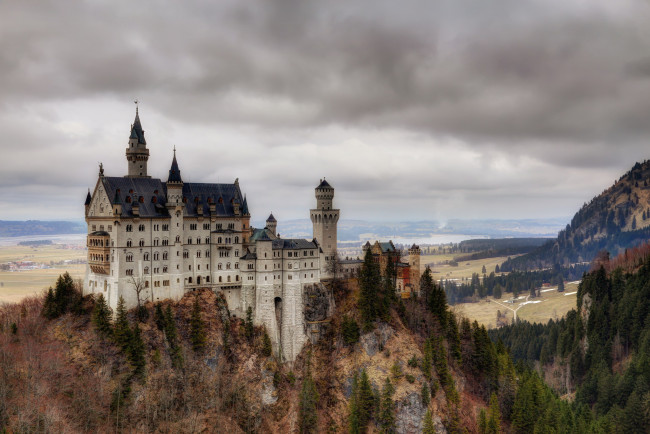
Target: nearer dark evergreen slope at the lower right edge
{"type": "Point", "coordinates": [600, 352]}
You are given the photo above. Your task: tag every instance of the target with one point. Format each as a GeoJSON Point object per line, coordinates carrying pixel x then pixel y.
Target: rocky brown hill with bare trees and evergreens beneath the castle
{"type": "Point", "coordinates": [68, 374]}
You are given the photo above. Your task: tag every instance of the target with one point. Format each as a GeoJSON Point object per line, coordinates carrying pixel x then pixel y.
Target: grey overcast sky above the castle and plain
{"type": "Point", "coordinates": [412, 110]}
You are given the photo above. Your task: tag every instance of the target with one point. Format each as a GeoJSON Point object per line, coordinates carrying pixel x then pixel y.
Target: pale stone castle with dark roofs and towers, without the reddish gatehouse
{"type": "Point", "coordinates": [150, 239]}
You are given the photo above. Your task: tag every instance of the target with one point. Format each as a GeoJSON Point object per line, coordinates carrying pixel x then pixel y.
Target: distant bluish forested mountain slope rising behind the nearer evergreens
{"type": "Point", "coordinates": [616, 219]}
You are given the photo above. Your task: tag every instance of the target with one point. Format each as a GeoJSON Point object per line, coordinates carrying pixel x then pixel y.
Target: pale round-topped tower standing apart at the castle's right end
{"type": "Point", "coordinates": [324, 219]}
